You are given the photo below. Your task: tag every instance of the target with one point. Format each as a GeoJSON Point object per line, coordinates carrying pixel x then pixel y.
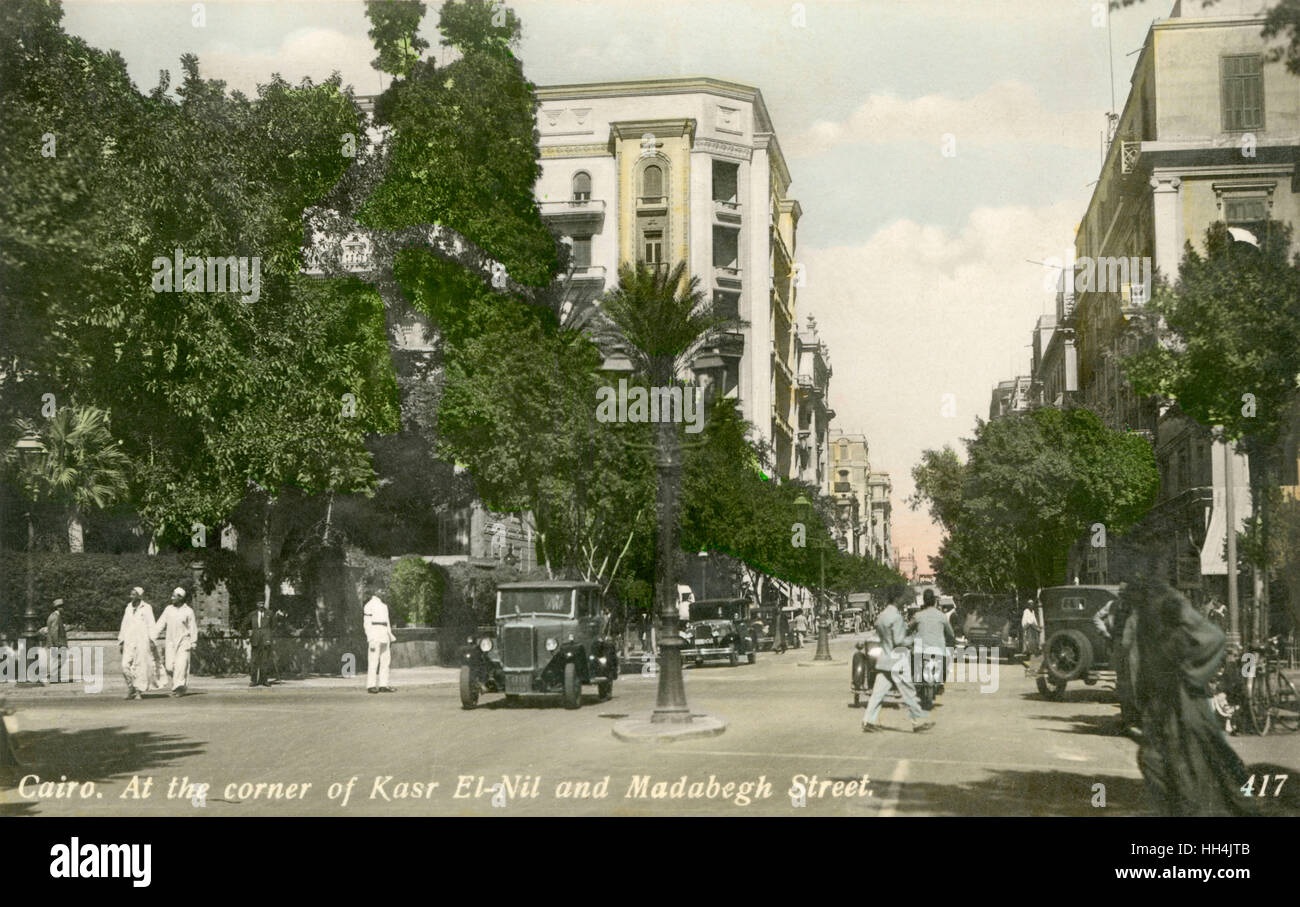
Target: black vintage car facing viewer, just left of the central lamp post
{"type": "Point", "coordinates": [551, 637]}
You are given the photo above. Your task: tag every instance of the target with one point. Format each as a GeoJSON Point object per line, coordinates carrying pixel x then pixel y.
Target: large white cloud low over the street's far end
{"type": "Point", "coordinates": [918, 313]}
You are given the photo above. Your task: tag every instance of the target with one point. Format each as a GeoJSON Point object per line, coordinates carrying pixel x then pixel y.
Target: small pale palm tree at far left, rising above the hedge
{"type": "Point", "coordinates": [83, 468]}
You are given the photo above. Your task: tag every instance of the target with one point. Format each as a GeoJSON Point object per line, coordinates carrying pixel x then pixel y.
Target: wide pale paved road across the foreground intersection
{"type": "Point", "coordinates": [994, 753]}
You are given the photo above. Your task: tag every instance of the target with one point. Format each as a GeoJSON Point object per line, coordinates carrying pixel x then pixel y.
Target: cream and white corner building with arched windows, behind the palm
{"type": "Point", "coordinates": [690, 171]}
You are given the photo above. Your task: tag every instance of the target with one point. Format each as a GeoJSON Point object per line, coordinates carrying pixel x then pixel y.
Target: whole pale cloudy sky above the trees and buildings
{"type": "Point", "coordinates": [939, 149]}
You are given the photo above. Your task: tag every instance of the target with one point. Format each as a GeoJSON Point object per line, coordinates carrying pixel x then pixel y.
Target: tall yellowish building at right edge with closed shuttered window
{"type": "Point", "coordinates": [1211, 132]}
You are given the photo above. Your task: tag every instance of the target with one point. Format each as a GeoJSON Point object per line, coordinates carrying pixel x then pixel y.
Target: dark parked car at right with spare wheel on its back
{"type": "Point", "coordinates": [1074, 649]}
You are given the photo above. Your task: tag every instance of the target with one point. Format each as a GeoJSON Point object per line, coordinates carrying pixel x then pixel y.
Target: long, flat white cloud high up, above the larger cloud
{"type": "Point", "coordinates": [1003, 114]}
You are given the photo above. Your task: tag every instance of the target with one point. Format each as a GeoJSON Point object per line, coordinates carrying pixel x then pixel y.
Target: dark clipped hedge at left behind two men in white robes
{"type": "Point", "coordinates": [96, 588]}
